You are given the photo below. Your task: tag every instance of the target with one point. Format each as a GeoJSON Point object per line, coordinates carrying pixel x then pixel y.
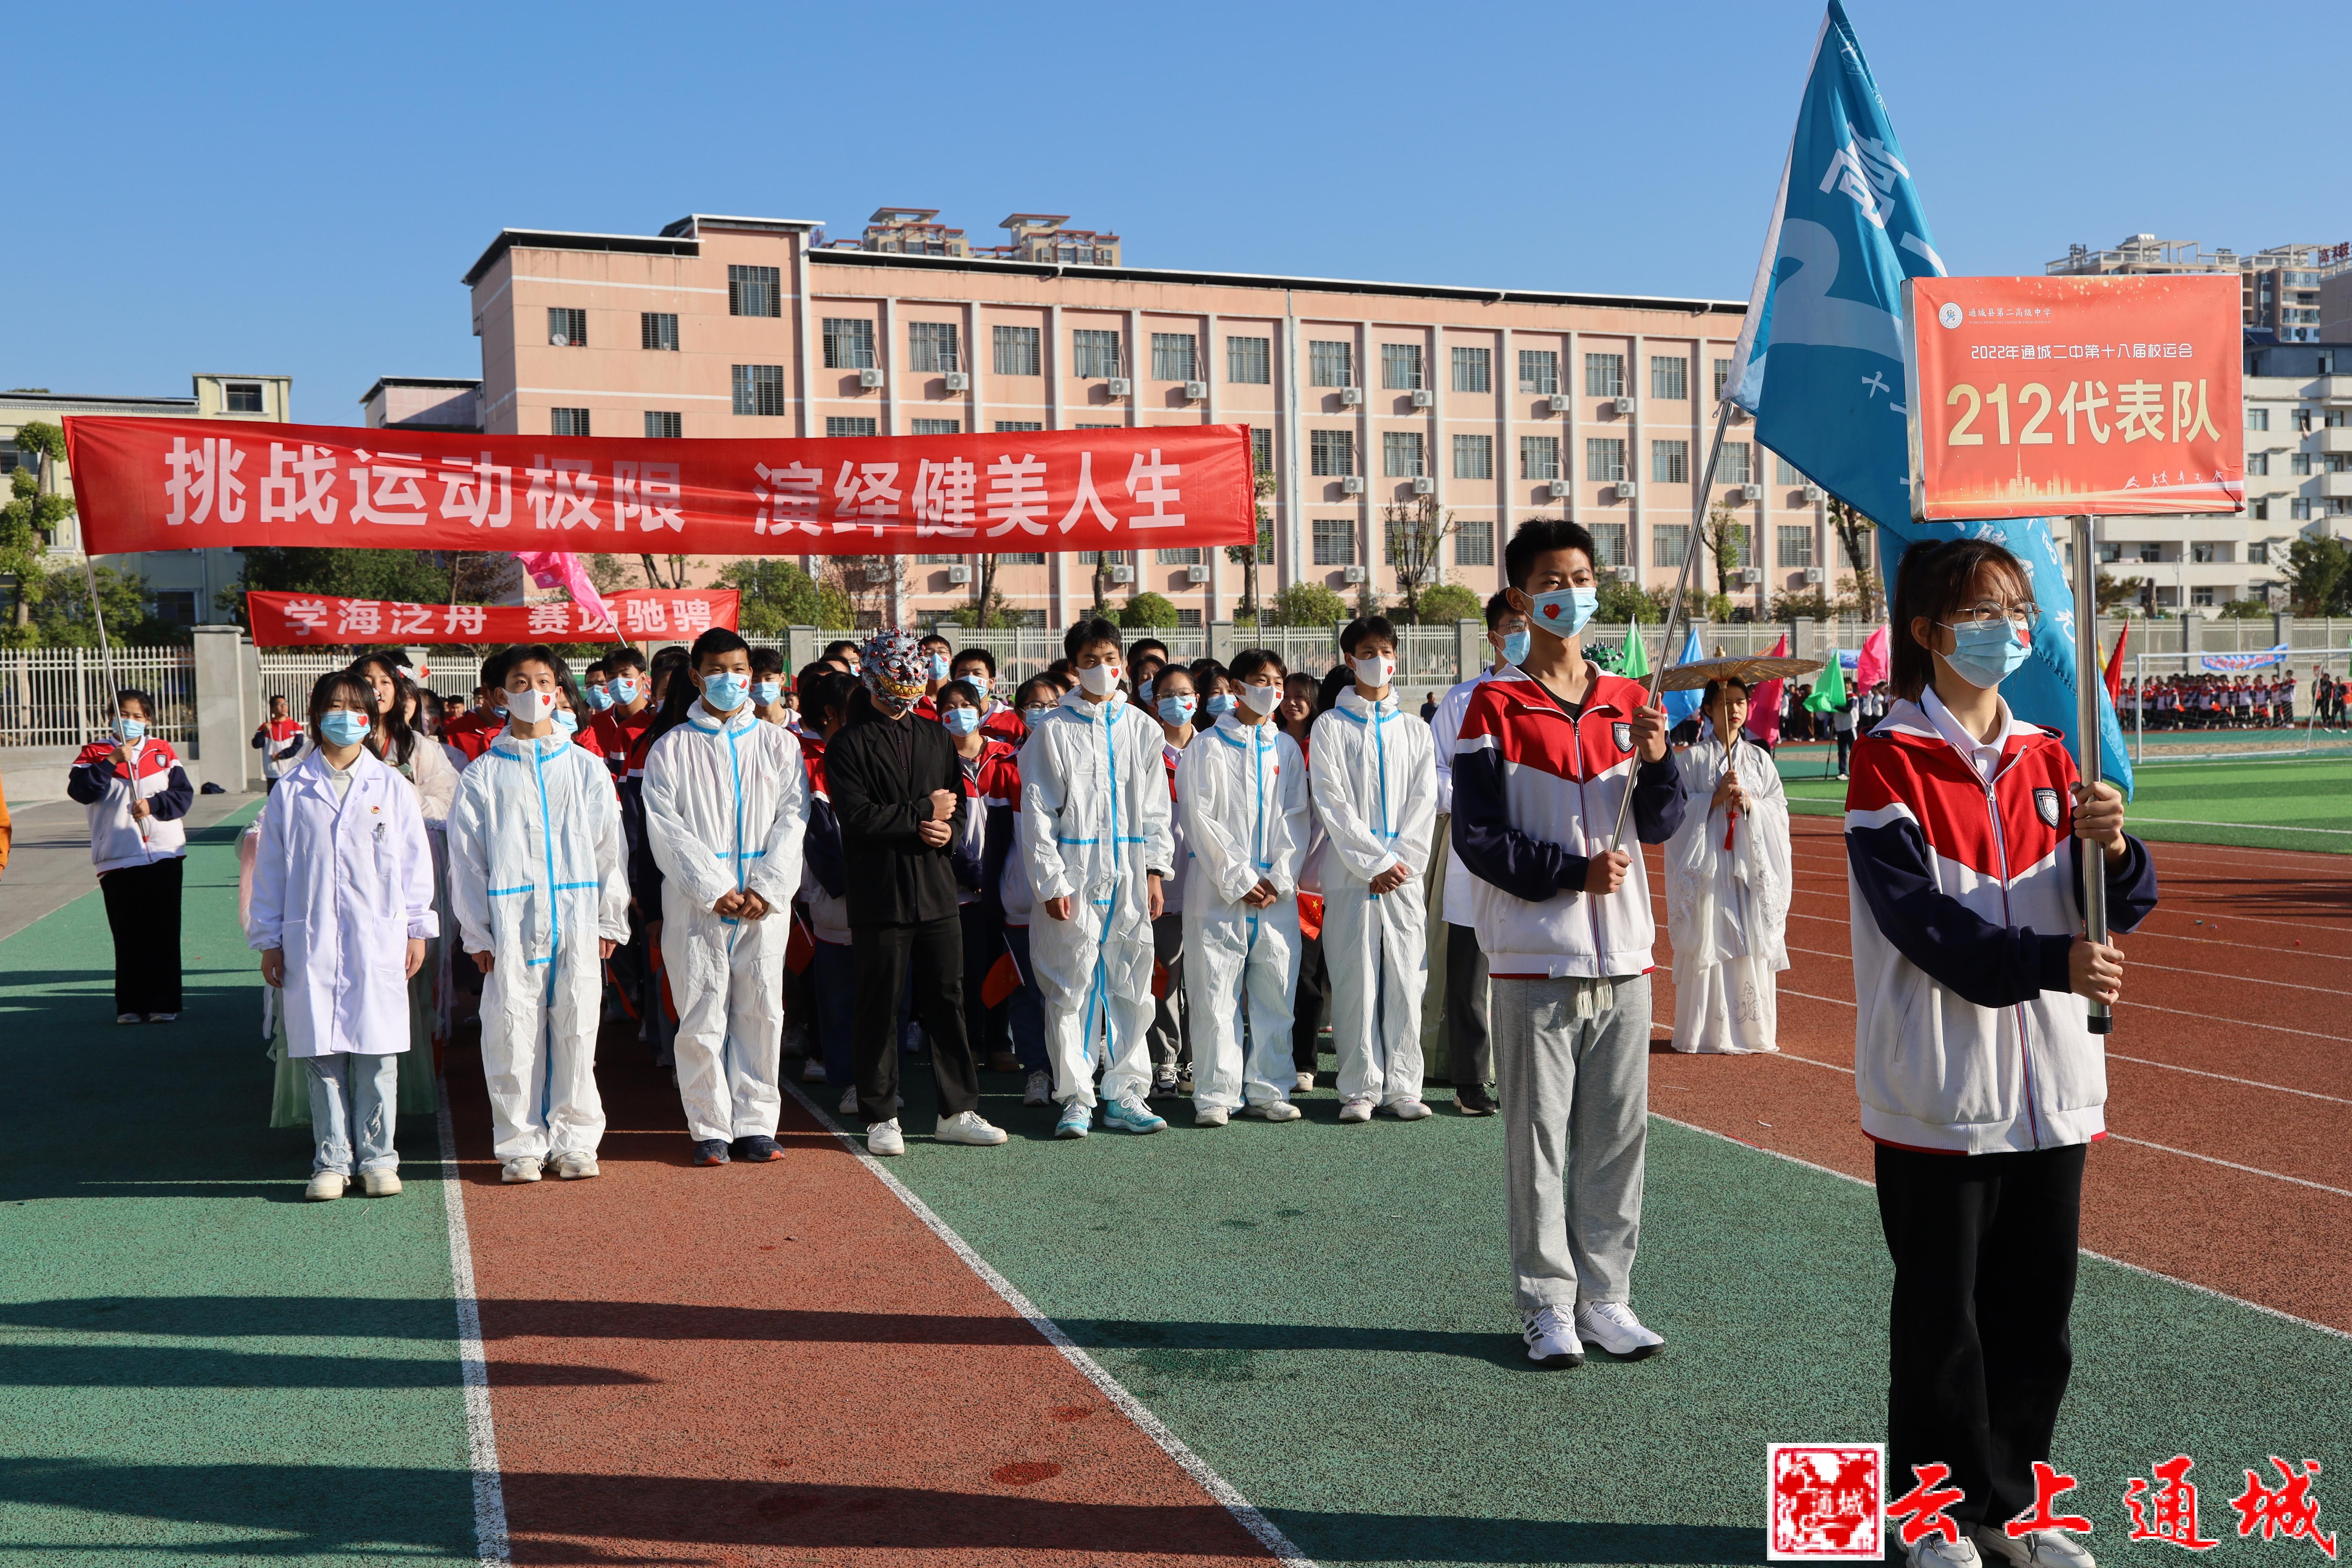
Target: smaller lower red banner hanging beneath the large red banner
{"type": "Point", "coordinates": [667, 615]}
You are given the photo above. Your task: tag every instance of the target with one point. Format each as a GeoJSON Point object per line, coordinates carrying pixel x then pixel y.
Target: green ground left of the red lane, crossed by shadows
{"type": "Point", "coordinates": [166, 1388]}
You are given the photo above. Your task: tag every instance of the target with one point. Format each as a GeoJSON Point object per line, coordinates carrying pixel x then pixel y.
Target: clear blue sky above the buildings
{"type": "Point", "coordinates": [300, 189]}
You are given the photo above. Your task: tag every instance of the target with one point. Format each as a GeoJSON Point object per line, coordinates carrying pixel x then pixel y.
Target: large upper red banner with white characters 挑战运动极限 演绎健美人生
{"type": "Point", "coordinates": [194, 483]}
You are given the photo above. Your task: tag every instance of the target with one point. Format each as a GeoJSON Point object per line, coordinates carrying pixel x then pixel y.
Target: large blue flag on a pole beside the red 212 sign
{"type": "Point", "coordinates": [1822, 356]}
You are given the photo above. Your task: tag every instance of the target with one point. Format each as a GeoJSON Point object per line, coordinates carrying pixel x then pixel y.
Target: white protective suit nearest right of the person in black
{"type": "Point", "coordinates": [1095, 824]}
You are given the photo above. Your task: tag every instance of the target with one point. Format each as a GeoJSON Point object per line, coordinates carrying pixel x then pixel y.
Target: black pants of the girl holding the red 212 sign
{"type": "Point", "coordinates": [1984, 1252]}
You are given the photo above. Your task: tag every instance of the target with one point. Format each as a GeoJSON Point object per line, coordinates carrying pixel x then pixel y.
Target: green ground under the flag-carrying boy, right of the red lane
{"type": "Point", "coordinates": [1323, 1315]}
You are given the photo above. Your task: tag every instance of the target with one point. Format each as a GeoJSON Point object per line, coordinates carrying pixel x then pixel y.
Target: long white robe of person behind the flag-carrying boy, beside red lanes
{"type": "Point", "coordinates": [1728, 909]}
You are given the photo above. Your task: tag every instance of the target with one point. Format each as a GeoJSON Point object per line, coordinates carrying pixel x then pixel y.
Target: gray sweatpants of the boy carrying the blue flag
{"type": "Point", "coordinates": [1572, 1066]}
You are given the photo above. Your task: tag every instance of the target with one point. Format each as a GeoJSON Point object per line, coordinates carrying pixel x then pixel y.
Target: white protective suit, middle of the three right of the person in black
{"type": "Point", "coordinates": [1248, 819]}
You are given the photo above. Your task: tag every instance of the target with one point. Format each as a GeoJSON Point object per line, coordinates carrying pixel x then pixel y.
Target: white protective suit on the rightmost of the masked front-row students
{"type": "Point", "coordinates": [1375, 786]}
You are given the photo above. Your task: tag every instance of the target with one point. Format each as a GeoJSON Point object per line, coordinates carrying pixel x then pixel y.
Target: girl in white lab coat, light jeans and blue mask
{"type": "Point", "coordinates": [342, 913]}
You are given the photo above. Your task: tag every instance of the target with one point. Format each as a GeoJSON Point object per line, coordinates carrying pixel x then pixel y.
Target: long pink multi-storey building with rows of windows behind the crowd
{"type": "Point", "coordinates": [1492, 403]}
